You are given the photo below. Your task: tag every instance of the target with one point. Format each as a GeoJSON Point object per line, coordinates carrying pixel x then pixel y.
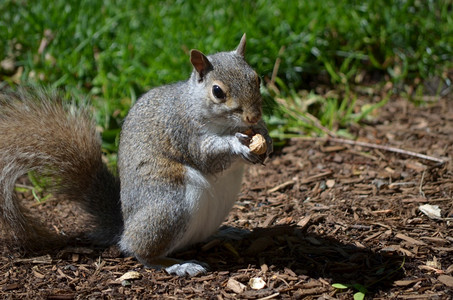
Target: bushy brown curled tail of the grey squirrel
{"type": "Point", "coordinates": [39, 133]}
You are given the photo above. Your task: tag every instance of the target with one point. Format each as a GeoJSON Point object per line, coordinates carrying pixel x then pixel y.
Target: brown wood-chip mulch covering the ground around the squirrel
{"type": "Point", "coordinates": [319, 213]}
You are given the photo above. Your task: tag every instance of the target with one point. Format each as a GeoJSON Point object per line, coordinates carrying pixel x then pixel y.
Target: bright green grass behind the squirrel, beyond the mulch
{"type": "Point", "coordinates": [113, 51]}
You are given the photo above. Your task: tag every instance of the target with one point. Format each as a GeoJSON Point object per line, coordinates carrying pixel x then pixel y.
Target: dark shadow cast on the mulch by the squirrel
{"type": "Point", "coordinates": [289, 248]}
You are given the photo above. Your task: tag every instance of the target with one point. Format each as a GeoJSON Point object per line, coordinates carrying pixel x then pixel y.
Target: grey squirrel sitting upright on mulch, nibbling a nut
{"type": "Point", "coordinates": [181, 157]}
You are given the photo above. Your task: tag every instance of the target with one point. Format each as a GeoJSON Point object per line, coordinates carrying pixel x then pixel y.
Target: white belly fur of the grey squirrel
{"type": "Point", "coordinates": [210, 199]}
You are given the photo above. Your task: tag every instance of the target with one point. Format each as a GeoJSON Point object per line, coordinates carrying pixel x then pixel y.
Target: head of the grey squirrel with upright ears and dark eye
{"type": "Point", "coordinates": [231, 87]}
